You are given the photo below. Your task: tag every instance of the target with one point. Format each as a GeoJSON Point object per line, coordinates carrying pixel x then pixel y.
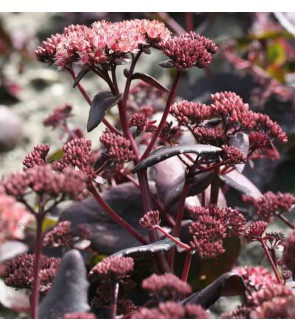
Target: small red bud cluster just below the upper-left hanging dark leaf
{"type": "Point", "coordinates": [118, 147]}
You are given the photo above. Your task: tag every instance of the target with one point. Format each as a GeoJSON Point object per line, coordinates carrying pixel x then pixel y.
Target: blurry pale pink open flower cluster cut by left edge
{"type": "Point", "coordinates": [13, 218]}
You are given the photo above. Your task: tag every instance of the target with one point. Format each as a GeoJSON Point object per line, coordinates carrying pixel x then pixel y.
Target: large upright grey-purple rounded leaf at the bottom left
{"type": "Point", "coordinates": [69, 290]}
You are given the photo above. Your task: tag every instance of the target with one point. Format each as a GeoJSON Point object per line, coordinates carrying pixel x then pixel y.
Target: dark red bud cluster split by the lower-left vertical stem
{"type": "Point", "coordinates": [19, 272]}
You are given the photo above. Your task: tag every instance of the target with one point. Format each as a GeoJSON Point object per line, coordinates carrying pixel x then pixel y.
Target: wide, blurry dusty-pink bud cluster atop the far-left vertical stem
{"type": "Point", "coordinates": [44, 180]}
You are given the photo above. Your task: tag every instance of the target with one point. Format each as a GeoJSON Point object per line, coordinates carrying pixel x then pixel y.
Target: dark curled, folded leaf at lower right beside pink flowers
{"type": "Point", "coordinates": [229, 284]}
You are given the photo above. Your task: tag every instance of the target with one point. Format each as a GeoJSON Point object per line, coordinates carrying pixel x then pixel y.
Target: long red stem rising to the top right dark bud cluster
{"type": "Point", "coordinates": [164, 116]}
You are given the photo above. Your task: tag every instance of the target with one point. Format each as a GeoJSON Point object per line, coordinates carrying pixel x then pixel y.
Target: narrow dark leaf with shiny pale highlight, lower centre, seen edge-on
{"type": "Point", "coordinates": [158, 246]}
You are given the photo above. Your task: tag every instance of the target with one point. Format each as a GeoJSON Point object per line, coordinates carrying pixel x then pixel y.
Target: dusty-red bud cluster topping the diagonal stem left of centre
{"type": "Point", "coordinates": [78, 154]}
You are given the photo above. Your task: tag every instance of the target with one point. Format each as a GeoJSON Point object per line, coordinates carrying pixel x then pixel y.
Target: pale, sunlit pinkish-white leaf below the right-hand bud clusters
{"type": "Point", "coordinates": [241, 183]}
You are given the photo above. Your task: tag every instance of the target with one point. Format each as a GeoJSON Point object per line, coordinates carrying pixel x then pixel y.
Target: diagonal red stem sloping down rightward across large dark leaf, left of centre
{"type": "Point", "coordinates": [114, 215]}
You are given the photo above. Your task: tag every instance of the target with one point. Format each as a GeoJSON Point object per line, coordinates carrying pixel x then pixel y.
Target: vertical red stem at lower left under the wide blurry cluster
{"type": "Point", "coordinates": [37, 263]}
